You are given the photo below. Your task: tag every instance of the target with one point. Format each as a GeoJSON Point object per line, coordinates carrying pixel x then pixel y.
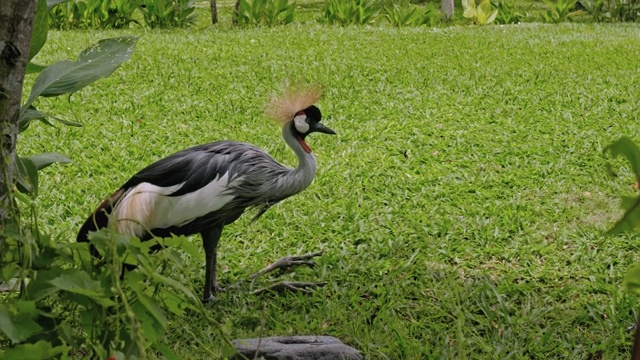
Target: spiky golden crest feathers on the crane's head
{"type": "Point", "coordinates": [293, 99]}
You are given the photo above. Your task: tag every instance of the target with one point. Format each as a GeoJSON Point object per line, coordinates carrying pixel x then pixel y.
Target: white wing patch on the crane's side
{"type": "Point", "coordinates": [147, 206]}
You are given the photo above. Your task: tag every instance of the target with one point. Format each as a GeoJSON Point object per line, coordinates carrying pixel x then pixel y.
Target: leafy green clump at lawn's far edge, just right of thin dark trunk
{"type": "Point", "coordinates": [265, 12]}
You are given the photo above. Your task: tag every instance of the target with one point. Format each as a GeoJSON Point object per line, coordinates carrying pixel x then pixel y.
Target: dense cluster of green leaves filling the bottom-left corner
{"type": "Point", "coordinates": [73, 304]}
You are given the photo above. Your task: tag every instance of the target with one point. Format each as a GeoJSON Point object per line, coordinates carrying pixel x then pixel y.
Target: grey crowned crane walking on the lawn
{"type": "Point", "coordinates": [201, 189]}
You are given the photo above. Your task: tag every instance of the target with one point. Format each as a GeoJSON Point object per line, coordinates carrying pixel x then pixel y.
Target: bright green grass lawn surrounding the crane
{"type": "Point", "coordinates": [460, 208]}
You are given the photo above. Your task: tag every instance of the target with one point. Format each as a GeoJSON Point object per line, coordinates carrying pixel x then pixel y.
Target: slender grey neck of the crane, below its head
{"type": "Point", "coordinates": [302, 176]}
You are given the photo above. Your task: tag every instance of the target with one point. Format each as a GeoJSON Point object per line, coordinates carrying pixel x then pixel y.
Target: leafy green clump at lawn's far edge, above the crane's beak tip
{"type": "Point", "coordinates": [350, 12]}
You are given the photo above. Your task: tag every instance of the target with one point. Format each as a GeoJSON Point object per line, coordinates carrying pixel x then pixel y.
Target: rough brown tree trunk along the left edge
{"type": "Point", "coordinates": [16, 24]}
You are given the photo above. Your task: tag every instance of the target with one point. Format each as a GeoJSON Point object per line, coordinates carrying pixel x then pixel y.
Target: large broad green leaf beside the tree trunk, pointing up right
{"type": "Point", "coordinates": [93, 63]}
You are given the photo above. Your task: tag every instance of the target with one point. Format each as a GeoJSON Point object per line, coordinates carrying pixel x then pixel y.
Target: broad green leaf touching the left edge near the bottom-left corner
{"type": "Point", "coordinates": [18, 325]}
